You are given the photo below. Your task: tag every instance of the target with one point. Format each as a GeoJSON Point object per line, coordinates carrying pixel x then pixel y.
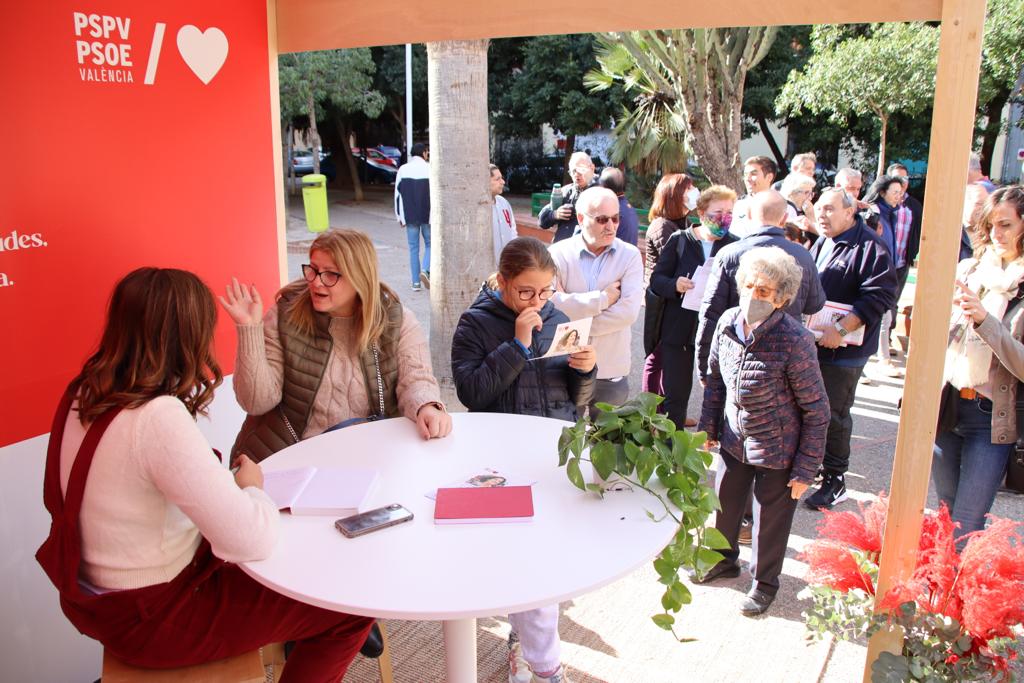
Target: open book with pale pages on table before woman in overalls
{"type": "Point", "coordinates": [312, 491]}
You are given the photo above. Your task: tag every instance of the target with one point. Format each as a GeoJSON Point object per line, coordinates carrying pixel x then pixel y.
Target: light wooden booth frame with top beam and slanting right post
{"type": "Point", "coordinates": [315, 25]}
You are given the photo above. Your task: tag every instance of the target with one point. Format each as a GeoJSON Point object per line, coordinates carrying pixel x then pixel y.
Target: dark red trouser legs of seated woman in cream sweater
{"type": "Point", "coordinates": [231, 614]}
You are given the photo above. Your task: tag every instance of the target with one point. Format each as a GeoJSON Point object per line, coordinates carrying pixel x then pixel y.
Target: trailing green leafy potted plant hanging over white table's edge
{"type": "Point", "coordinates": [633, 444]}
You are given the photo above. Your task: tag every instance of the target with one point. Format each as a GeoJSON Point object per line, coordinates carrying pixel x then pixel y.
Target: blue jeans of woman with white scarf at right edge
{"type": "Point", "coordinates": [967, 467]}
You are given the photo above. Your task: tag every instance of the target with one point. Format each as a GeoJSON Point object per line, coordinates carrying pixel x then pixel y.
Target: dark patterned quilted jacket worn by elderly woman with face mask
{"type": "Point", "coordinates": [765, 402]}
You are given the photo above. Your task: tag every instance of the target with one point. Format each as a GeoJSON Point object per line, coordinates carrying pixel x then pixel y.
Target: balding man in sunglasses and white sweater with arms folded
{"type": "Point", "coordinates": [602, 277]}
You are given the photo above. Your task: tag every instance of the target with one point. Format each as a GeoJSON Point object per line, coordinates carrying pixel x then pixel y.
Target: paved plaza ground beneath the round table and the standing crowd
{"type": "Point", "coordinates": [608, 635]}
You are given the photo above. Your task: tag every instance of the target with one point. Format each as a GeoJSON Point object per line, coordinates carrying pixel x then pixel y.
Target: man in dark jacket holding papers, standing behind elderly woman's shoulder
{"type": "Point", "coordinates": [856, 270]}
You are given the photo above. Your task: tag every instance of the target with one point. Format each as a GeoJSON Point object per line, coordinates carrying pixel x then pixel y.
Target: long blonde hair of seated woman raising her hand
{"type": "Point", "coordinates": [356, 258]}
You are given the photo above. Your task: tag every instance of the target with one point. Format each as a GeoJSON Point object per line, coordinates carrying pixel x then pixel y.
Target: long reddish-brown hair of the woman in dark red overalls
{"type": "Point", "coordinates": [158, 343]}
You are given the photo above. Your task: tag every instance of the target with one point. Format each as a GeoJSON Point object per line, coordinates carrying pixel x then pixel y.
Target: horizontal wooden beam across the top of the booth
{"type": "Point", "coordinates": [322, 25]}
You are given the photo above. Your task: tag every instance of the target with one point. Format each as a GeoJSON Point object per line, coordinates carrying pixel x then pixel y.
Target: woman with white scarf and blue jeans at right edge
{"type": "Point", "coordinates": [985, 365]}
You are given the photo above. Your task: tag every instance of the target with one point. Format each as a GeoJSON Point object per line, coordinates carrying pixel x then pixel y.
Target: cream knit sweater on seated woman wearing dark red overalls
{"type": "Point", "coordinates": [154, 490]}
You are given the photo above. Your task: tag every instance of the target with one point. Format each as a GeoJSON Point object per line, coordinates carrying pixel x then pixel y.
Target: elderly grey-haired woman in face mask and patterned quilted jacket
{"type": "Point", "coordinates": [765, 406]}
